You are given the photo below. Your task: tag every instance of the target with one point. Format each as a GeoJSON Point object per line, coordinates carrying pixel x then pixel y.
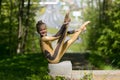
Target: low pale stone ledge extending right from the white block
{"type": "Point", "coordinates": [96, 74]}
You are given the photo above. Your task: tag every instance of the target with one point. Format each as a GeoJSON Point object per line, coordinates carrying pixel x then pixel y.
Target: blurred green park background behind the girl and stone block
{"type": "Point", "coordinates": [20, 54]}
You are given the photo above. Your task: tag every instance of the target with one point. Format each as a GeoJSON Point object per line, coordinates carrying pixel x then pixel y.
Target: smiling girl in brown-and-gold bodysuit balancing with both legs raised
{"type": "Point", "coordinates": [54, 55]}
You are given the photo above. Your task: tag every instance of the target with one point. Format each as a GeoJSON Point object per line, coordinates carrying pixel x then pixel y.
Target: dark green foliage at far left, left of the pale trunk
{"type": "Point", "coordinates": [7, 31]}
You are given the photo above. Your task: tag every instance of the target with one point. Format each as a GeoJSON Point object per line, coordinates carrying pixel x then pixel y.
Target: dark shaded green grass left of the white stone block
{"type": "Point", "coordinates": [23, 67]}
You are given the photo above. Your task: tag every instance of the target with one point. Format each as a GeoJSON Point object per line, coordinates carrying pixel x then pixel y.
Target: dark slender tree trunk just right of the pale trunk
{"type": "Point", "coordinates": [26, 27]}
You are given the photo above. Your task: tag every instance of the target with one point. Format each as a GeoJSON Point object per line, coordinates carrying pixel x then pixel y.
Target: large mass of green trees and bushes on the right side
{"type": "Point", "coordinates": [103, 34]}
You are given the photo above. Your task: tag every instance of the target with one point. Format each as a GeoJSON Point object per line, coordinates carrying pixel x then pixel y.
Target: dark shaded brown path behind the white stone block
{"type": "Point", "coordinates": [79, 61]}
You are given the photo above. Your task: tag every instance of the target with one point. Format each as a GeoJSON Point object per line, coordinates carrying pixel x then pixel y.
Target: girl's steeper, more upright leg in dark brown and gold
{"type": "Point", "coordinates": [62, 33]}
